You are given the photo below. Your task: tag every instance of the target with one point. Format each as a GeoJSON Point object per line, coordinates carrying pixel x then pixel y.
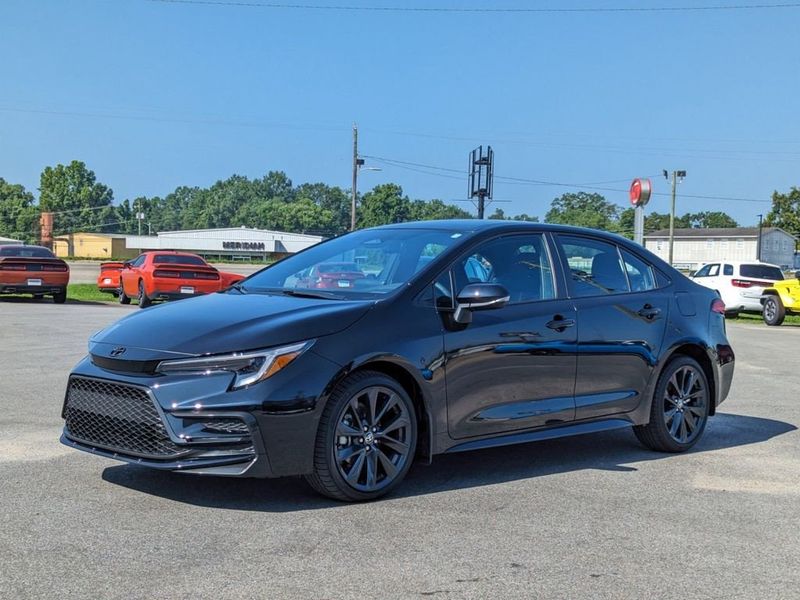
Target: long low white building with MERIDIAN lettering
{"type": "Point", "coordinates": [243, 242]}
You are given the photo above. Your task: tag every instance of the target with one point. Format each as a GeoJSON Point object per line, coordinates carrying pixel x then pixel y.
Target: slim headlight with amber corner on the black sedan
{"type": "Point", "coordinates": [248, 367]}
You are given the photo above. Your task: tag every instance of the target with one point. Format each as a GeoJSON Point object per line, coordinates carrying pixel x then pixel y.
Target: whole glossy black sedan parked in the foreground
{"type": "Point", "coordinates": [456, 335]}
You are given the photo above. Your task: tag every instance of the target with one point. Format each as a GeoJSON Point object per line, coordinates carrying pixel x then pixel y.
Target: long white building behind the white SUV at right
{"type": "Point", "coordinates": [694, 247]}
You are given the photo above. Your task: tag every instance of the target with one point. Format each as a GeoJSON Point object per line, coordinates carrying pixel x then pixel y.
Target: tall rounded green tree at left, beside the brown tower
{"type": "Point", "coordinates": [78, 199]}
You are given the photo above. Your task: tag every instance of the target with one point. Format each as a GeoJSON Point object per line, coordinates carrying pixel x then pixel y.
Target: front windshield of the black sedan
{"type": "Point", "coordinates": [361, 265]}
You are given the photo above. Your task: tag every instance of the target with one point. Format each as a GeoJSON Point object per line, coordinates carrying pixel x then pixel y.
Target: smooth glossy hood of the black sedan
{"type": "Point", "coordinates": [225, 322]}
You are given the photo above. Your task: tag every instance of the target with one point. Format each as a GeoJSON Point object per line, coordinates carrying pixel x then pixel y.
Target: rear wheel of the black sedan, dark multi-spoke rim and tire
{"type": "Point", "coordinates": [679, 409]}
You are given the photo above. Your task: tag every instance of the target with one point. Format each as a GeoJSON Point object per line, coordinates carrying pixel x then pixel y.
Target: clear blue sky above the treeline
{"type": "Point", "coordinates": [152, 95]}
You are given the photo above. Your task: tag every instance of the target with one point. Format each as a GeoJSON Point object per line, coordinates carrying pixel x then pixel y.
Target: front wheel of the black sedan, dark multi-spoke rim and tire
{"type": "Point", "coordinates": [354, 465]}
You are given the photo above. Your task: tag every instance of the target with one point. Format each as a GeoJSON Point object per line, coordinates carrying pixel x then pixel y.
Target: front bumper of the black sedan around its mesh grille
{"type": "Point", "coordinates": [275, 438]}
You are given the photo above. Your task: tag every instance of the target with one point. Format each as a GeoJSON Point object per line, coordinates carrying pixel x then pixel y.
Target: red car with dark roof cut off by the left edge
{"type": "Point", "coordinates": [33, 270]}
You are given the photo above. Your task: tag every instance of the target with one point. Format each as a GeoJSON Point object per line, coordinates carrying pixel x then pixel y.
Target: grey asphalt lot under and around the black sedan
{"type": "Point", "coordinates": [590, 517]}
